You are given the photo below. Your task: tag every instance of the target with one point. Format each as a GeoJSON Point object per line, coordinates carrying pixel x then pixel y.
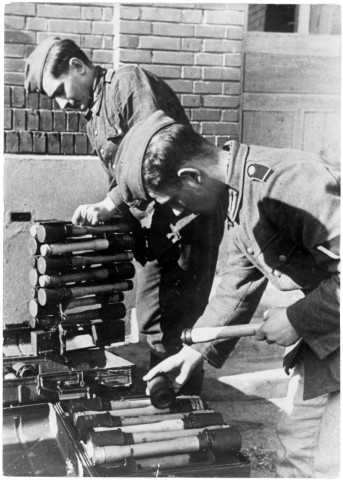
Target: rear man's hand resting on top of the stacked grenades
{"type": "Point", "coordinates": [93, 214]}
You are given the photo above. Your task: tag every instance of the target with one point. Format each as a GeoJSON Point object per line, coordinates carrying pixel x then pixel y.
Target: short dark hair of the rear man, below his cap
{"type": "Point", "coordinates": [57, 62]}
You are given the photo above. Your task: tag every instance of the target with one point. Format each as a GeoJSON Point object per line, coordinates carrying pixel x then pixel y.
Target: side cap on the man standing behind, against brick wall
{"type": "Point", "coordinates": [35, 65]}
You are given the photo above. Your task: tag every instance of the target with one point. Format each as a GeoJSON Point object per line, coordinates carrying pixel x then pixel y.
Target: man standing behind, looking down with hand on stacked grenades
{"type": "Point", "coordinates": [173, 279]}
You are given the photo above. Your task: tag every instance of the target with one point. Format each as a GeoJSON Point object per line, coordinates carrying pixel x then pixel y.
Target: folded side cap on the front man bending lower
{"type": "Point", "coordinates": [130, 155]}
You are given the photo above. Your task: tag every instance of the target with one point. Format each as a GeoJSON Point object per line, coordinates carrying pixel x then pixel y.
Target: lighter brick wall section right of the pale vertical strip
{"type": "Point", "coordinates": [197, 49]}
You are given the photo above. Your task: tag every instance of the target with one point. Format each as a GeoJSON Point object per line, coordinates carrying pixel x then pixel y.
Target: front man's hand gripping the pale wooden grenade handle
{"type": "Point", "coordinates": [277, 328]}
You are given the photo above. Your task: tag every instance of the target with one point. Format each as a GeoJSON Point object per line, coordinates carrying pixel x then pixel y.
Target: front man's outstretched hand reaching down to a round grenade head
{"type": "Point", "coordinates": [178, 367]}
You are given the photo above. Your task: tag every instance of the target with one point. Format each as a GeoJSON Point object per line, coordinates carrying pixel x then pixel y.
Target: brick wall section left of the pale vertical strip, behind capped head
{"type": "Point", "coordinates": [33, 123]}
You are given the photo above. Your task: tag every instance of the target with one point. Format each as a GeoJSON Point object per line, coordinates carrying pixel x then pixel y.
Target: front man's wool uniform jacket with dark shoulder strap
{"type": "Point", "coordinates": [284, 227]}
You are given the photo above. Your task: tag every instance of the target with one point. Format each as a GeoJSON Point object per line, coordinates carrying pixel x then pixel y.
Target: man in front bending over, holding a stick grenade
{"type": "Point", "coordinates": [283, 227]}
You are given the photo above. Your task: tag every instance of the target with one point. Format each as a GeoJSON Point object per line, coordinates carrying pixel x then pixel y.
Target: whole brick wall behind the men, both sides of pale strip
{"type": "Point", "coordinates": [196, 48]}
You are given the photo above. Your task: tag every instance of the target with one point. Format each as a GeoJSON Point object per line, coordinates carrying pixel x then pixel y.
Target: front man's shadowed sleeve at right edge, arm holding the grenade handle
{"type": "Point", "coordinates": [304, 203]}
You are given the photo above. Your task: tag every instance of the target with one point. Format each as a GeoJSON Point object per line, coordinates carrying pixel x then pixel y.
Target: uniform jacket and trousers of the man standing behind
{"type": "Point", "coordinates": [172, 293]}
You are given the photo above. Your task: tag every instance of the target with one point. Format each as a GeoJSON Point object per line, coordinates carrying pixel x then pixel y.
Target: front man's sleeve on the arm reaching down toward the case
{"type": "Point", "coordinates": [234, 302]}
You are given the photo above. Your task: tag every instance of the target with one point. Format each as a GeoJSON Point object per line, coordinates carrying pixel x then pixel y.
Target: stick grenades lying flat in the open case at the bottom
{"type": "Point", "coordinates": [115, 433]}
